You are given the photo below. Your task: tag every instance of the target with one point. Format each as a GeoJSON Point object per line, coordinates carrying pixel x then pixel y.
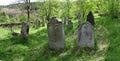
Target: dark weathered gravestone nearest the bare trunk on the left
{"type": "Point", "coordinates": [24, 30]}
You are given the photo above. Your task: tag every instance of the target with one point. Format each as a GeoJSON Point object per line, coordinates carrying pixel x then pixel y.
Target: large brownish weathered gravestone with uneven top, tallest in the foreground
{"type": "Point", "coordinates": [56, 33]}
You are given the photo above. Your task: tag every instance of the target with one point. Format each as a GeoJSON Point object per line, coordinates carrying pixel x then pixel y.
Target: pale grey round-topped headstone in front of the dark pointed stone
{"type": "Point", "coordinates": [86, 34]}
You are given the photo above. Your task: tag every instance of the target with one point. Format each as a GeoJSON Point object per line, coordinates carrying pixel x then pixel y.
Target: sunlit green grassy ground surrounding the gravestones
{"type": "Point", "coordinates": [107, 44]}
